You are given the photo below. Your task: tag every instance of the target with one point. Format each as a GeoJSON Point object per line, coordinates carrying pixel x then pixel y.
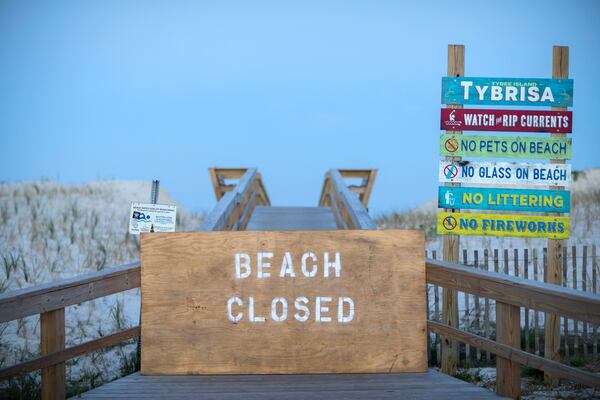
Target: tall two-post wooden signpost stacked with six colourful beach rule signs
{"type": "Point", "coordinates": [550, 180]}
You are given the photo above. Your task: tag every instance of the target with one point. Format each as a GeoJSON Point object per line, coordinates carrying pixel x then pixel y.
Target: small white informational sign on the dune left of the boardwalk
{"type": "Point", "coordinates": [147, 217]}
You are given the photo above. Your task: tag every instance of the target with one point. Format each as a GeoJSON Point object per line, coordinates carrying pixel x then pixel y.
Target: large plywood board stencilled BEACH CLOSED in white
{"type": "Point", "coordinates": [283, 302]}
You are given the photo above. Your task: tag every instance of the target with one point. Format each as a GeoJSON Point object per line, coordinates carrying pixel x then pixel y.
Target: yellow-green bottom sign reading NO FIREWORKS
{"type": "Point", "coordinates": [503, 225]}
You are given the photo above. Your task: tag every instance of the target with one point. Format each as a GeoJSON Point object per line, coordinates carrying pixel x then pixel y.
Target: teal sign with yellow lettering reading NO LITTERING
{"type": "Point", "coordinates": [477, 198]}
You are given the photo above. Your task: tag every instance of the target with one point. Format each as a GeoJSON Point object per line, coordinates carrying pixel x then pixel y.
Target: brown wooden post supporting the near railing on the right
{"type": "Point", "coordinates": [508, 327]}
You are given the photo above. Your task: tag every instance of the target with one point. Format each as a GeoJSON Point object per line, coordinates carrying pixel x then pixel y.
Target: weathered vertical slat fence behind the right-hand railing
{"type": "Point", "coordinates": [579, 340]}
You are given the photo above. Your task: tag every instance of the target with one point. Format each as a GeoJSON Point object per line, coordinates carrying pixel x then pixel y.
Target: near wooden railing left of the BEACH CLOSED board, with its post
{"type": "Point", "coordinates": [49, 301]}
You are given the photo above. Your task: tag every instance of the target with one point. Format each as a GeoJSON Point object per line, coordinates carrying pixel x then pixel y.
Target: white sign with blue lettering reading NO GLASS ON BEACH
{"type": "Point", "coordinates": [505, 173]}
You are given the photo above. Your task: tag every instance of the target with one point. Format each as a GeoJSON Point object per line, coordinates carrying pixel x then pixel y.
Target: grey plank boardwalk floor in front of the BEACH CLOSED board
{"type": "Point", "coordinates": [323, 386]}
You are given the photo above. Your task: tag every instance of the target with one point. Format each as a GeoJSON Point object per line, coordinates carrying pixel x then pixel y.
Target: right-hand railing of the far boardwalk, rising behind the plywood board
{"type": "Point", "coordinates": [348, 210]}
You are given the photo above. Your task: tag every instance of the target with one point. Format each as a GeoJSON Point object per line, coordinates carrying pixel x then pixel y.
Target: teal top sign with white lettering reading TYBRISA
{"type": "Point", "coordinates": [508, 91]}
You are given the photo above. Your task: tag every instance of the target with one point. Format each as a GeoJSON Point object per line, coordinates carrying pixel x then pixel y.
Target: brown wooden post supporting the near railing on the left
{"type": "Point", "coordinates": [52, 327]}
